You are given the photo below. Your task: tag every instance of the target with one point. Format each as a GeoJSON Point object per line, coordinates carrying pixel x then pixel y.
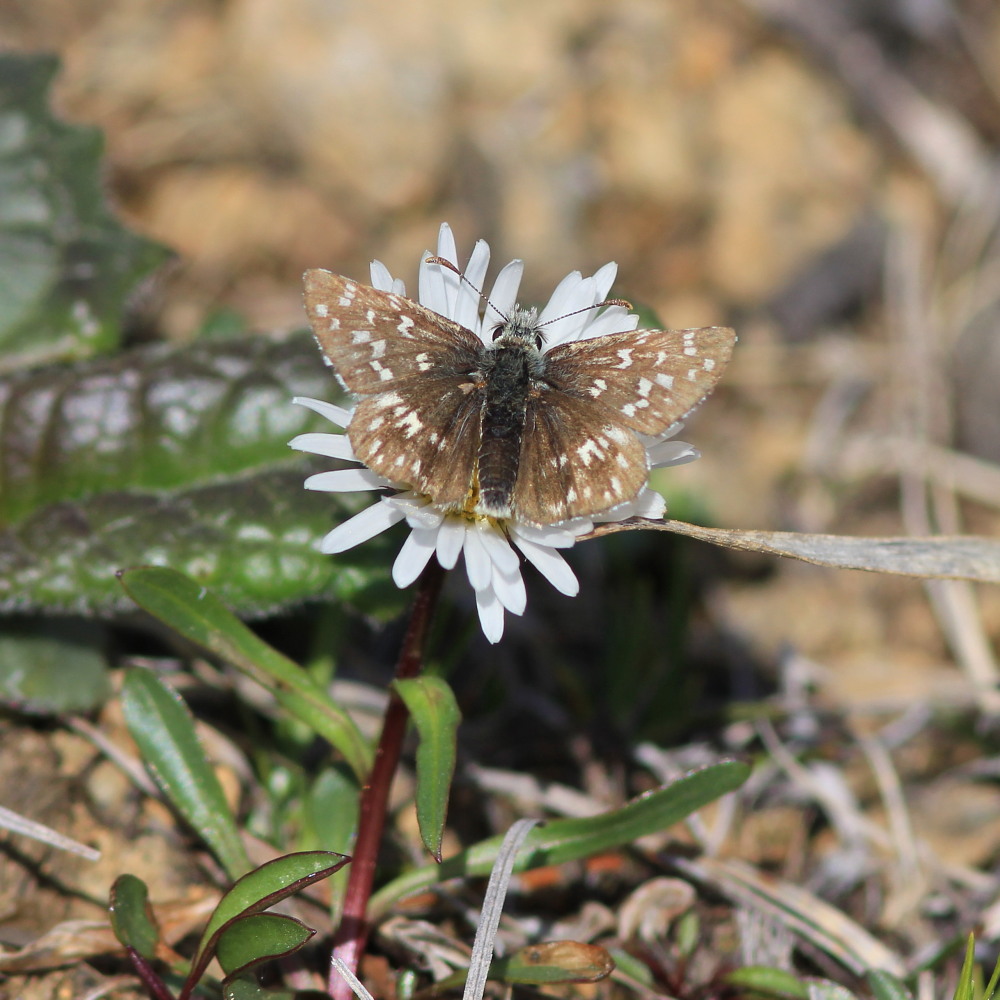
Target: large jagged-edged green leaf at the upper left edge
{"type": "Point", "coordinates": [66, 264]}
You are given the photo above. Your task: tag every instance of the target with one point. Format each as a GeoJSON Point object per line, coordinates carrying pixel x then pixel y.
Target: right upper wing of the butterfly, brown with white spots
{"type": "Point", "coordinates": [650, 378]}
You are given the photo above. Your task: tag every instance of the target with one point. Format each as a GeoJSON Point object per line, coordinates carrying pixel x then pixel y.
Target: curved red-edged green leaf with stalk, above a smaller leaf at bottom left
{"type": "Point", "coordinates": [256, 891]}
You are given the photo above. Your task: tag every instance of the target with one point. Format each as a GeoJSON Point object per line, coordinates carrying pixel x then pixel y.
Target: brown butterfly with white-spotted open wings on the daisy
{"type": "Point", "coordinates": [506, 429]}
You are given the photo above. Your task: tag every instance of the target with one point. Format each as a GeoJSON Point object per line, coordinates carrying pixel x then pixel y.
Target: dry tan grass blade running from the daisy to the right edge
{"type": "Point", "coordinates": [966, 557]}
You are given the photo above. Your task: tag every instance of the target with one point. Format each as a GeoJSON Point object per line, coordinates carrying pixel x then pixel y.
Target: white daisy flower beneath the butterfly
{"type": "Point", "coordinates": [491, 549]}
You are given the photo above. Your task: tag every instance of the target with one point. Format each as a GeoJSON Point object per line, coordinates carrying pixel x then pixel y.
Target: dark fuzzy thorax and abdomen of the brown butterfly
{"type": "Point", "coordinates": [507, 375]}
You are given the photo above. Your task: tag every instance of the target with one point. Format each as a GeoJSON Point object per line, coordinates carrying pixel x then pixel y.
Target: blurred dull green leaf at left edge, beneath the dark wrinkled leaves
{"type": "Point", "coordinates": [58, 666]}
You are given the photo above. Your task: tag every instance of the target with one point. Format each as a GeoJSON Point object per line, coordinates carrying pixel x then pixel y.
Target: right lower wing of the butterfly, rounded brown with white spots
{"type": "Point", "coordinates": [577, 458]}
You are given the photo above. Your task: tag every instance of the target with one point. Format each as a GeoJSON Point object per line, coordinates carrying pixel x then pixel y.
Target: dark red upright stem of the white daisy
{"type": "Point", "coordinates": [349, 941]}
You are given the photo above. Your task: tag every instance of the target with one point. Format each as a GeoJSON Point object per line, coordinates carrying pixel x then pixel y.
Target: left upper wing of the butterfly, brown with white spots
{"type": "Point", "coordinates": [376, 338]}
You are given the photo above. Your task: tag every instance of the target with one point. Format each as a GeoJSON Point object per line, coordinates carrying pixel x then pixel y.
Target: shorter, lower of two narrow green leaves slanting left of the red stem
{"type": "Point", "coordinates": [163, 728]}
